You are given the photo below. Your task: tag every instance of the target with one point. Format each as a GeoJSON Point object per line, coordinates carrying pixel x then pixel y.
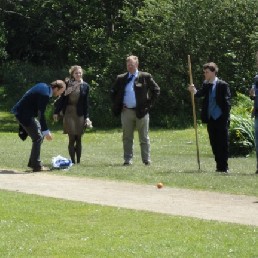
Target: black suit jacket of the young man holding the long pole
{"type": "Point", "coordinates": [222, 99]}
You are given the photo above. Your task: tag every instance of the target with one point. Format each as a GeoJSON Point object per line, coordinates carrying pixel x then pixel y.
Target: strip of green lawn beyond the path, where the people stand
{"type": "Point", "coordinates": [173, 153]}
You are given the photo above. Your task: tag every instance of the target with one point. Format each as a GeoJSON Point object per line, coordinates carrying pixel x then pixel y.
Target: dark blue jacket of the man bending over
{"type": "Point", "coordinates": [33, 104]}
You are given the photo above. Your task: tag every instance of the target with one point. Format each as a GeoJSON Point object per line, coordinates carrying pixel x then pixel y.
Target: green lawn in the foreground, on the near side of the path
{"type": "Point", "coordinates": [32, 226]}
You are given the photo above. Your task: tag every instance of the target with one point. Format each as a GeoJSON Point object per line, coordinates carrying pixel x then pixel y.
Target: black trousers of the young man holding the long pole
{"type": "Point", "coordinates": [219, 140]}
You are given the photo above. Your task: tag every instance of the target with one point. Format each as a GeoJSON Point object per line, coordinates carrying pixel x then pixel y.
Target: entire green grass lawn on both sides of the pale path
{"type": "Point", "coordinates": [33, 226]}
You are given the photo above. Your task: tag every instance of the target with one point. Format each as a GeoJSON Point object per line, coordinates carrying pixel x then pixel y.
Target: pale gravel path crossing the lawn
{"type": "Point", "coordinates": [199, 204]}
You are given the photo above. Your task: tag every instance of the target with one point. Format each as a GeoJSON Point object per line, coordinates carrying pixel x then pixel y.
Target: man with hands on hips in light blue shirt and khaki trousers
{"type": "Point", "coordinates": [133, 94]}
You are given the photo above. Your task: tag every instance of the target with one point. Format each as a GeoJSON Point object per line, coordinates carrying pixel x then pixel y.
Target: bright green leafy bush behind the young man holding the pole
{"type": "Point", "coordinates": [242, 141]}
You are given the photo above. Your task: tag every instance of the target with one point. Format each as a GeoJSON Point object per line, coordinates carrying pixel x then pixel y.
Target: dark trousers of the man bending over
{"type": "Point", "coordinates": [34, 132]}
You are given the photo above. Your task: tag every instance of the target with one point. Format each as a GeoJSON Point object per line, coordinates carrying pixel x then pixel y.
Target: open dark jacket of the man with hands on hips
{"type": "Point", "coordinates": [146, 93]}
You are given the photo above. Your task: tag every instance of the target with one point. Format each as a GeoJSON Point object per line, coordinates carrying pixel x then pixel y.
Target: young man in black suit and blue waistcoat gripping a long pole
{"type": "Point", "coordinates": [216, 113]}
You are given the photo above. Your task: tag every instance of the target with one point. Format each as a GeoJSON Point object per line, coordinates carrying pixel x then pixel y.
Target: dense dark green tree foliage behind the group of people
{"type": "Point", "coordinates": [40, 40]}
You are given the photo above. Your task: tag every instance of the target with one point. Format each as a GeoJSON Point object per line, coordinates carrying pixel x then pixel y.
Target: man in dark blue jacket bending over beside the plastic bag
{"type": "Point", "coordinates": [32, 106]}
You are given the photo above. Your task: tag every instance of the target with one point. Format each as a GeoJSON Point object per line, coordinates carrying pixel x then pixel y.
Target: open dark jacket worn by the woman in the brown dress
{"type": "Point", "coordinates": [82, 107]}
